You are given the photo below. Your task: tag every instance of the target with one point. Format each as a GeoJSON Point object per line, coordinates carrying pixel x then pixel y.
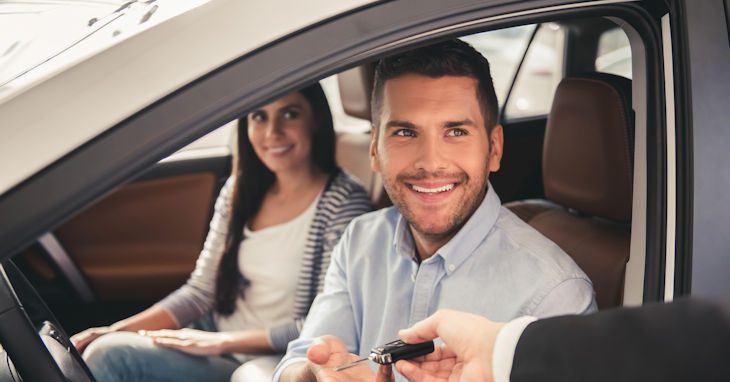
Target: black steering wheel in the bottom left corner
{"type": "Point", "coordinates": [38, 346]}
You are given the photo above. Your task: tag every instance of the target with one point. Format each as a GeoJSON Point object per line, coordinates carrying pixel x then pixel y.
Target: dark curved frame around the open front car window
{"type": "Point", "coordinates": [140, 141]}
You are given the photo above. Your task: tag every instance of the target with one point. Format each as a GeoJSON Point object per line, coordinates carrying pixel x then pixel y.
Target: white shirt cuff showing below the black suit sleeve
{"type": "Point", "coordinates": [505, 345]}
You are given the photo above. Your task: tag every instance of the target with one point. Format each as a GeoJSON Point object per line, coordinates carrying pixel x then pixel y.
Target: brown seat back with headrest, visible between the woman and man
{"type": "Point", "coordinates": [353, 149]}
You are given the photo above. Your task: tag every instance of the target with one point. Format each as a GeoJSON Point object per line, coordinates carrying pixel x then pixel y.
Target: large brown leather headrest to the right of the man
{"type": "Point", "coordinates": [588, 149]}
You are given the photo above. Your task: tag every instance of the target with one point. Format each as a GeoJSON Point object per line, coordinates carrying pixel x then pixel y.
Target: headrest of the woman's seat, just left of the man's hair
{"type": "Point", "coordinates": [356, 86]}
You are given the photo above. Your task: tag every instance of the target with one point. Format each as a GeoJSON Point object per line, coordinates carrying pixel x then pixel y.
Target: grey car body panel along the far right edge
{"type": "Point", "coordinates": [705, 154]}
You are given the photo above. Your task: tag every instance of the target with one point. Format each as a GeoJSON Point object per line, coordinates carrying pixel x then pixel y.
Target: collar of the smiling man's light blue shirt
{"type": "Point", "coordinates": [463, 244]}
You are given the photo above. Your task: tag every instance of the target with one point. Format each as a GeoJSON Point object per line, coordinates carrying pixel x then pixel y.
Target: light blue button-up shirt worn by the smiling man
{"type": "Point", "coordinates": [496, 266]}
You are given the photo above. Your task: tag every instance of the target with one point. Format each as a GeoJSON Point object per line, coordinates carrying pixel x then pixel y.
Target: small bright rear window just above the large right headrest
{"type": "Point", "coordinates": [614, 53]}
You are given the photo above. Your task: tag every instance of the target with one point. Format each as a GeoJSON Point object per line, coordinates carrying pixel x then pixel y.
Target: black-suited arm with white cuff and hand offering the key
{"type": "Point", "coordinates": [683, 341]}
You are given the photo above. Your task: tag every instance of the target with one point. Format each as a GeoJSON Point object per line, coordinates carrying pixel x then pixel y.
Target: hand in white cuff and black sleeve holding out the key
{"type": "Point", "coordinates": [466, 354]}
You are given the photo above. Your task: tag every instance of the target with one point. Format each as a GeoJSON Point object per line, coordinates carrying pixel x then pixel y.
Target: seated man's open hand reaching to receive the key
{"type": "Point", "coordinates": [328, 352]}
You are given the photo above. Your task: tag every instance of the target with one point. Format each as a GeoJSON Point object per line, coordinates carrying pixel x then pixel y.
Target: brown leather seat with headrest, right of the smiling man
{"type": "Point", "coordinates": [588, 178]}
